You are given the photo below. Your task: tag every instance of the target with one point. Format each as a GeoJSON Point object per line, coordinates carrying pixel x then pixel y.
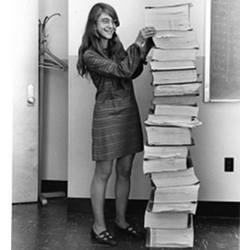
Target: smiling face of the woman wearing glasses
{"type": "Point", "coordinates": [105, 26]}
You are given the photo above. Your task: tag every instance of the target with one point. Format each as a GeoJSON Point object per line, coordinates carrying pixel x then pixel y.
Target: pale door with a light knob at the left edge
{"type": "Point", "coordinates": [26, 102]}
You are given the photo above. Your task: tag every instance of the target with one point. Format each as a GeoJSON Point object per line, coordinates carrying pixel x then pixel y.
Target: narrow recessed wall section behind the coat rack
{"type": "Point", "coordinates": [54, 155]}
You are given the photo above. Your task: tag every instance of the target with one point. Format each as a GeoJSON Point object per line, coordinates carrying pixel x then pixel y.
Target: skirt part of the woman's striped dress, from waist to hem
{"type": "Point", "coordinates": [116, 129]}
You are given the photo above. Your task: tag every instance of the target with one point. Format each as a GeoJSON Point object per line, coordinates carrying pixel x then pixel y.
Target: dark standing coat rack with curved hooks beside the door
{"type": "Point", "coordinates": [47, 60]}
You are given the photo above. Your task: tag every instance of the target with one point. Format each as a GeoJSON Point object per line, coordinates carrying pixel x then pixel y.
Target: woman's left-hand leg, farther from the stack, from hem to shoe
{"type": "Point", "coordinates": [102, 173]}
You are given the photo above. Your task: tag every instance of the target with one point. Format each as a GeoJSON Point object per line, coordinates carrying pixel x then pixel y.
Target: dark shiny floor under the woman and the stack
{"type": "Point", "coordinates": [54, 227]}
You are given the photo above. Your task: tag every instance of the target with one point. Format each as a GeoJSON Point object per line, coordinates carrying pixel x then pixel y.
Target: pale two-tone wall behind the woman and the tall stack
{"type": "Point", "coordinates": [216, 139]}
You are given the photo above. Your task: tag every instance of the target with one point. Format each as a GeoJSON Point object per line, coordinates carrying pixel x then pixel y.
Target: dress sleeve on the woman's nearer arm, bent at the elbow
{"type": "Point", "coordinates": [124, 69]}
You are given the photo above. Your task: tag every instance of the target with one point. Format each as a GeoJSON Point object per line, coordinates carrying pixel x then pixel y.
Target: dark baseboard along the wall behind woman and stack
{"type": "Point", "coordinates": [205, 208]}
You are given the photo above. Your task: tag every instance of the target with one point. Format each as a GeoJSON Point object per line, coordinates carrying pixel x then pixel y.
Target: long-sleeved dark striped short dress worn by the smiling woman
{"type": "Point", "coordinates": [116, 128]}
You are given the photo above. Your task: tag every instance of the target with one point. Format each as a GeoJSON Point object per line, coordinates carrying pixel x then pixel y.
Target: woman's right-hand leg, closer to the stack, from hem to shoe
{"type": "Point", "coordinates": [122, 188]}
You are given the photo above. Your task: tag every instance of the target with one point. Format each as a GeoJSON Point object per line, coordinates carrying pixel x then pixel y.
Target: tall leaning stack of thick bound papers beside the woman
{"type": "Point", "coordinates": [172, 115]}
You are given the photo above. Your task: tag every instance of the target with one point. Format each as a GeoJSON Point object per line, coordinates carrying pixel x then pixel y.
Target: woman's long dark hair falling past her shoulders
{"type": "Point", "coordinates": [91, 38]}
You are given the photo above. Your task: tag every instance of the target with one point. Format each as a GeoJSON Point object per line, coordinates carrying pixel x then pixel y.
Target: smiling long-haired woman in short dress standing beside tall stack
{"type": "Point", "coordinates": [116, 131]}
